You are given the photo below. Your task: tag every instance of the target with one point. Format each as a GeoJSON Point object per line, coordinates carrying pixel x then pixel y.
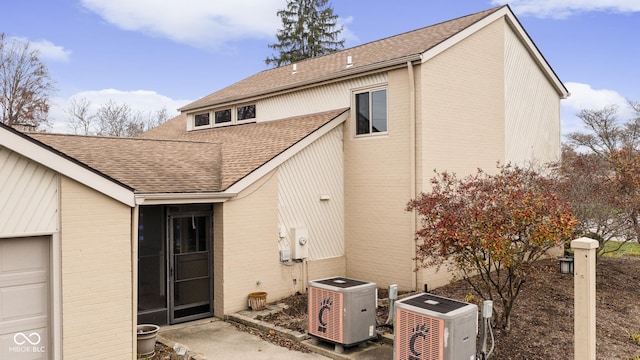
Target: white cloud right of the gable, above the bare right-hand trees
{"type": "Point", "coordinates": [584, 97]}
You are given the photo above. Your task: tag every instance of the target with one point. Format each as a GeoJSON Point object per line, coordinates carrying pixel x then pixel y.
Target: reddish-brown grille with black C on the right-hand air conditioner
{"type": "Point", "coordinates": [418, 337]}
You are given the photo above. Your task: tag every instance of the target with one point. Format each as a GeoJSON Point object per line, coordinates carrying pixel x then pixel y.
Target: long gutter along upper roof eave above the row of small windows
{"type": "Point", "coordinates": [323, 80]}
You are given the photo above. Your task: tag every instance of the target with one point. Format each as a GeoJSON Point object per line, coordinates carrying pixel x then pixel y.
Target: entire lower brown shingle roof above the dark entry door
{"type": "Point", "coordinates": [168, 159]}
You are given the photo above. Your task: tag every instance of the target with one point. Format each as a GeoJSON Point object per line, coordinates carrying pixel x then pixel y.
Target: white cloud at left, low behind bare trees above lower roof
{"type": "Point", "coordinates": [139, 100]}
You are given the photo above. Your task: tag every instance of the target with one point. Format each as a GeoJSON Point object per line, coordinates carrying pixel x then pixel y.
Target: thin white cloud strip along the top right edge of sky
{"type": "Point", "coordinates": [560, 9]}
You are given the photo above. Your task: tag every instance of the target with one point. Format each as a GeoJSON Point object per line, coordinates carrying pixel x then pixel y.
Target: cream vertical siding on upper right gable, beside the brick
{"type": "Point", "coordinates": [532, 107]}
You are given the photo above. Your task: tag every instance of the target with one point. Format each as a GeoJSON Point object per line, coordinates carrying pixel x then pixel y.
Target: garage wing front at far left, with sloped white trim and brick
{"type": "Point", "coordinates": [61, 223]}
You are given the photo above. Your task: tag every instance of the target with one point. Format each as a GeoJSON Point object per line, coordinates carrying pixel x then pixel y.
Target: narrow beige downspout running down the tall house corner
{"type": "Point", "coordinates": [412, 155]}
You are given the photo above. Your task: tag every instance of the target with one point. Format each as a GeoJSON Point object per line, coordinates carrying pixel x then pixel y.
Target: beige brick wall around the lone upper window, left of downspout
{"type": "Point", "coordinates": [378, 234]}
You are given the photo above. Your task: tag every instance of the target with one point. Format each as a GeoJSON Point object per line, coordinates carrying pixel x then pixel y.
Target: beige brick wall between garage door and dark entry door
{"type": "Point", "coordinates": [96, 275]}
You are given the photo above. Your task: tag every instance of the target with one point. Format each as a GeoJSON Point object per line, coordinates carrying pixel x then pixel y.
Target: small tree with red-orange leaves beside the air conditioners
{"type": "Point", "coordinates": [493, 226]}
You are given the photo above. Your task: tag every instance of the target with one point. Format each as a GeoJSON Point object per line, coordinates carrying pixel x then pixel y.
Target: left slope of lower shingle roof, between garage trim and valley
{"type": "Point", "coordinates": [147, 166]}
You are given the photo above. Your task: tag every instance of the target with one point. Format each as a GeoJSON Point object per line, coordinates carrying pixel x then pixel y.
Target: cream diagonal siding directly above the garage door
{"type": "Point", "coordinates": [28, 196]}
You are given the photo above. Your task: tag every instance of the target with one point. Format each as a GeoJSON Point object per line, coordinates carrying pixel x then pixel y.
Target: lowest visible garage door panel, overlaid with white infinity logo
{"type": "Point", "coordinates": [30, 344]}
